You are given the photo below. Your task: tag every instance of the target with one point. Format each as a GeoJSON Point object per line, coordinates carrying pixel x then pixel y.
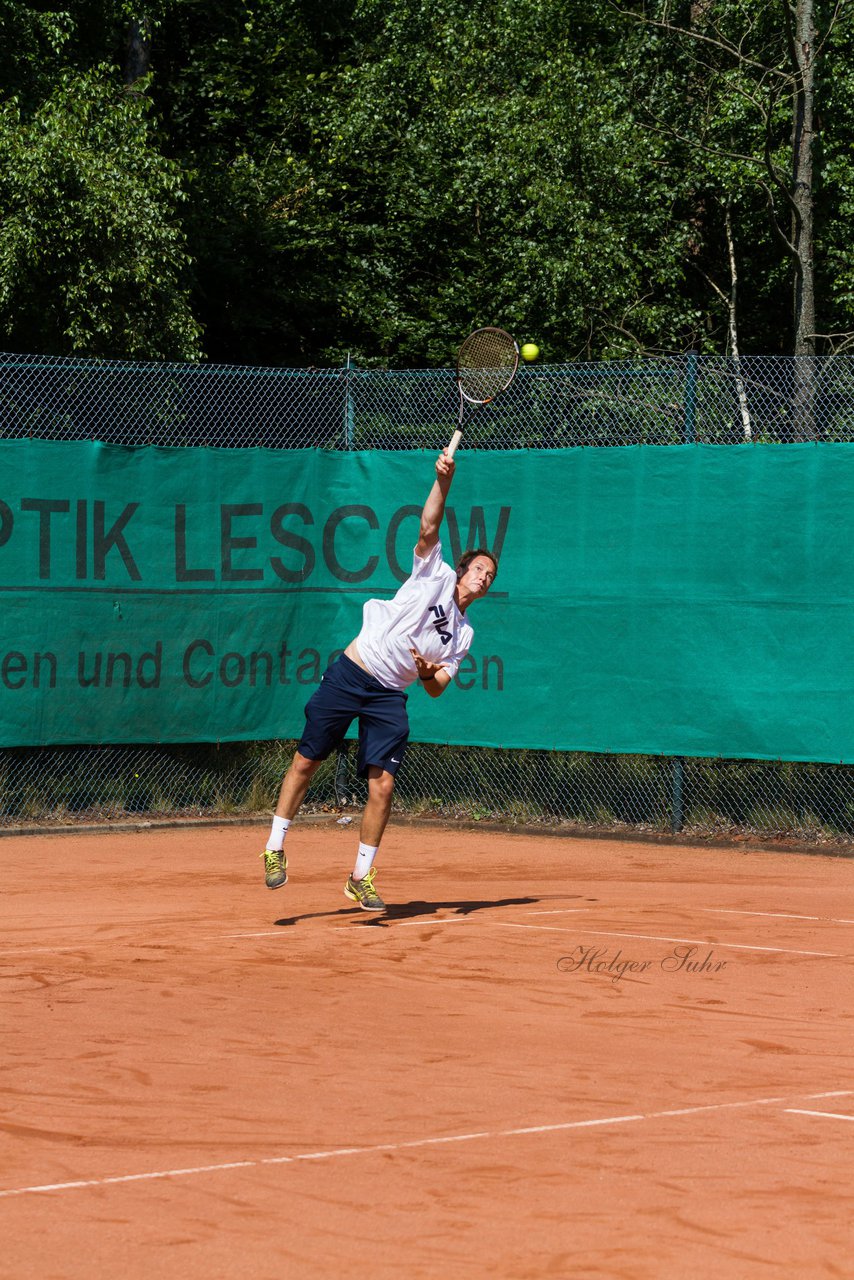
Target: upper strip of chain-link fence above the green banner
{"type": "Point", "coordinates": [681, 400]}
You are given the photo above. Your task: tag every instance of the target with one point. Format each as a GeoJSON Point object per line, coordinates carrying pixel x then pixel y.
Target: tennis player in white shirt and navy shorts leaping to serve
{"type": "Point", "coordinates": [423, 636]}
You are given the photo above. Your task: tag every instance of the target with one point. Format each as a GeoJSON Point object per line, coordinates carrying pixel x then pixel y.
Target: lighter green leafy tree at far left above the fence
{"type": "Point", "coordinates": [92, 252]}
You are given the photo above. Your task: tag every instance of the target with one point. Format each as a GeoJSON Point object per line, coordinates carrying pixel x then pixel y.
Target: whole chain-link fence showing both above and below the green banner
{"type": "Point", "coordinates": [659, 401]}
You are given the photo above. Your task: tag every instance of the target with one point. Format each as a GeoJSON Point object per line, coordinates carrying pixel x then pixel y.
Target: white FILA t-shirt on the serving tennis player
{"type": "Point", "coordinates": [424, 616]}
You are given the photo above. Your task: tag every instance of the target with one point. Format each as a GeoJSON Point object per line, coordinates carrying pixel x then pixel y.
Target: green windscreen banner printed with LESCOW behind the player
{"type": "Point", "coordinates": [679, 601]}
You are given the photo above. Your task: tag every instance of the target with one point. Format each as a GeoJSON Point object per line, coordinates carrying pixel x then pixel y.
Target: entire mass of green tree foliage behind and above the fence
{"type": "Point", "coordinates": [291, 184]}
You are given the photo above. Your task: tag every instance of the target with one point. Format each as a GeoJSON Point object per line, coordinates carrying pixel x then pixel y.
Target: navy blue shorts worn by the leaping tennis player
{"type": "Point", "coordinates": [346, 694]}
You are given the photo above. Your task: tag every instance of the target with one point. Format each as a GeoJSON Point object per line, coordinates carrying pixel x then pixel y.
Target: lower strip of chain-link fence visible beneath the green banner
{"type": "Point", "coordinates": [45, 788]}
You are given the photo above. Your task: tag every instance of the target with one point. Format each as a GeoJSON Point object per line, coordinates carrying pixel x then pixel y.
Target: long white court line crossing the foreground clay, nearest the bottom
{"type": "Point", "coordinates": [401, 1146]}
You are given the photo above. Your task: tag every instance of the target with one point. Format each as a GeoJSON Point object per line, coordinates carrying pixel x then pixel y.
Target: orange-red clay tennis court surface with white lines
{"type": "Point", "coordinates": [552, 1057]}
